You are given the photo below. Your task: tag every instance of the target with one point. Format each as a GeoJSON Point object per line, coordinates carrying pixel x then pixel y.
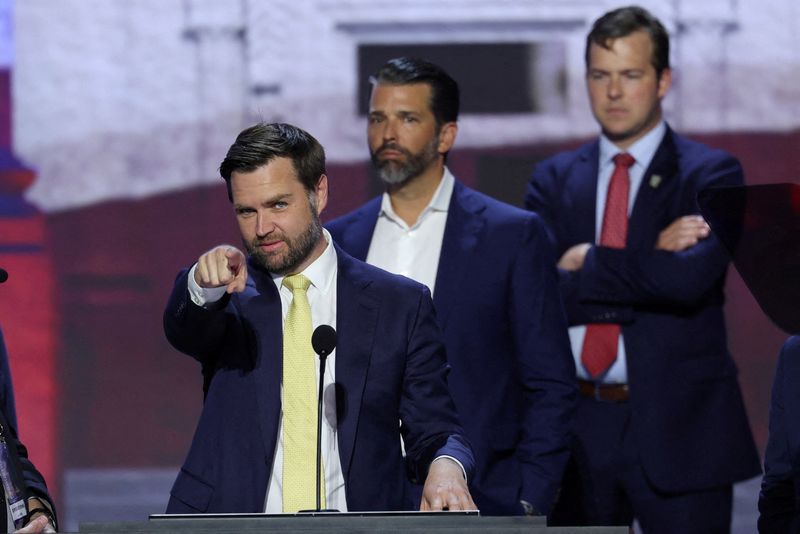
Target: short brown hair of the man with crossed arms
{"type": "Point", "coordinates": [624, 21]}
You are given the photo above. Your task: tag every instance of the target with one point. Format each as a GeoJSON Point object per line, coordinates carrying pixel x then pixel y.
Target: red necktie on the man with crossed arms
{"type": "Point", "coordinates": [600, 343]}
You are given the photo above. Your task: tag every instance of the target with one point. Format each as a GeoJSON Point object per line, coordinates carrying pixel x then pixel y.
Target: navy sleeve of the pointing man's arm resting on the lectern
{"type": "Point", "coordinates": [429, 423]}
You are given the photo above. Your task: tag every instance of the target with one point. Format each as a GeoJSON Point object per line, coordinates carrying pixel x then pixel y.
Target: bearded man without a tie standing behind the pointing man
{"type": "Point", "coordinates": [490, 269]}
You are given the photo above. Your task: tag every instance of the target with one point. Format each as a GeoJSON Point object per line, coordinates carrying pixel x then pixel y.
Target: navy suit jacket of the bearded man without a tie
{"type": "Point", "coordinates": [513, 380]}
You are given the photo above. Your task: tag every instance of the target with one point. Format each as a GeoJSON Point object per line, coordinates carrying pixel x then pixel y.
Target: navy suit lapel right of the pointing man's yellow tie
{"type": "Point", "coordinates": [356, 320]}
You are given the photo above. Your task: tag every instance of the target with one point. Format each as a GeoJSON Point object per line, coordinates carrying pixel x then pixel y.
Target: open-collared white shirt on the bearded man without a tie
{"type": "Point", "coordinates": [412, 251]}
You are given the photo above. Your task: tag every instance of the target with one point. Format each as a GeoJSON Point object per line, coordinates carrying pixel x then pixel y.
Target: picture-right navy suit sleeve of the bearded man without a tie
{"type": "Point", "coordinates": [545, 368]}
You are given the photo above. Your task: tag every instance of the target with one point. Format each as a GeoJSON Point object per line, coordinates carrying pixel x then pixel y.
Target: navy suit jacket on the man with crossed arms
{"type": "Point", "coordinates": [687, 412]}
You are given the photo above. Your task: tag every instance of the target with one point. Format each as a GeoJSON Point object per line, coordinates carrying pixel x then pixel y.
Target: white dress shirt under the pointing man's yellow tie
{"type": "Point", "coordinates": [322, 299]}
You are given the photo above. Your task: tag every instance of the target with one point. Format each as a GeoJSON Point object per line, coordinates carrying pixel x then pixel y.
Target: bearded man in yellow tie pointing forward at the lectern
{"type": "Point", "coordinates": [386, 377]}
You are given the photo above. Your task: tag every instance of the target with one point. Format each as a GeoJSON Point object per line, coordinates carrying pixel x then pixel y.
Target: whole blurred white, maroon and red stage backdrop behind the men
{"type": "Point", "coordinates": [122, 111]}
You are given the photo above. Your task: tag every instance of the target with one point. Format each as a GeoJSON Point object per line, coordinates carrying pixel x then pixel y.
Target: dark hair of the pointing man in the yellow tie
{"type": "Point", "coordinates": [258, 145]}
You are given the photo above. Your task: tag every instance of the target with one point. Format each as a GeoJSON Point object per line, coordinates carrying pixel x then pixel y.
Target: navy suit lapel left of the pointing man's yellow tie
{"type": "Point", "coordinates": [265, 308]}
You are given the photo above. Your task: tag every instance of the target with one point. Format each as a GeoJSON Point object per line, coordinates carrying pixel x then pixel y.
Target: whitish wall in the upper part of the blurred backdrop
{"type": "Point", "coordinates": [131, 98]}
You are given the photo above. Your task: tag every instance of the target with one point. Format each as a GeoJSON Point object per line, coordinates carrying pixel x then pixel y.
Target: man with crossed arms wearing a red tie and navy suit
{"type": "Point", "coordinates": [661, 428]}
